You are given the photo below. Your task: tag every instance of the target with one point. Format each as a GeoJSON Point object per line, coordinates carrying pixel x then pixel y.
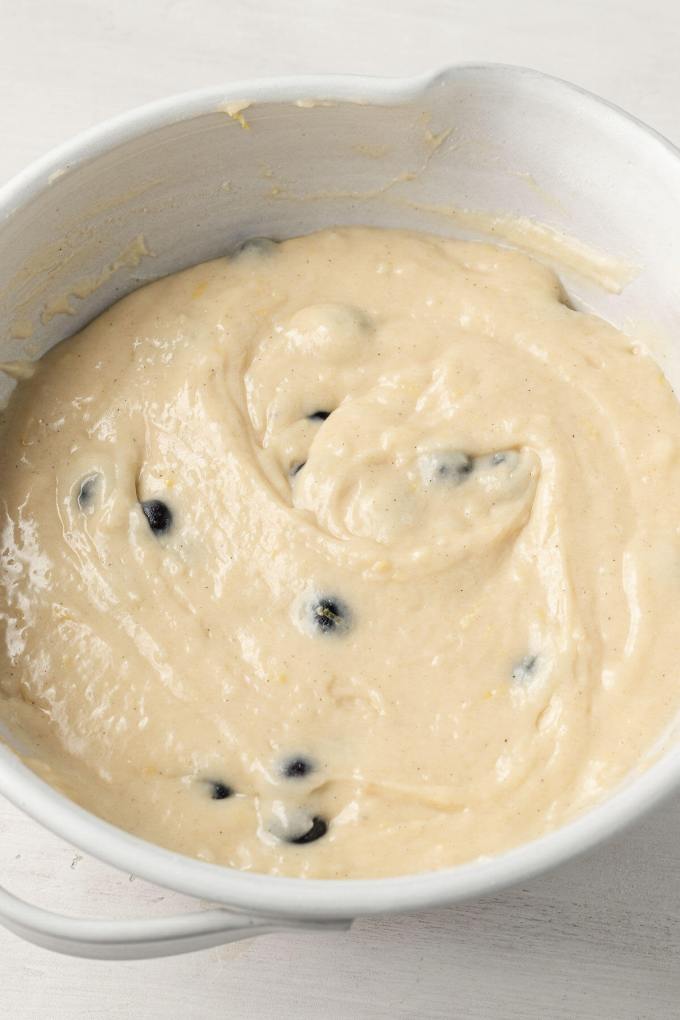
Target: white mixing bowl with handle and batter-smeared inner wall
{"type": "Point", "coordinates": [195, 175]}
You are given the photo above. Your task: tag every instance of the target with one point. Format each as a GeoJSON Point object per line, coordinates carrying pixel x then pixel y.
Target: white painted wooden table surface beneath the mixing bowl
{"type": "Point", "coordinates": [598, 940]}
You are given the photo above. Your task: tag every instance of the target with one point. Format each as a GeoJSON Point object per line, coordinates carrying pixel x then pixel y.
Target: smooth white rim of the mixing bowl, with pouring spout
{"type": "Point", "coordinates": [321, 898]}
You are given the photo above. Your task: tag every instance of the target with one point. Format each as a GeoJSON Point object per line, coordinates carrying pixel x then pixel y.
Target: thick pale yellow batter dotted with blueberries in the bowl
{"type": "Point", "coordinates": [350, 556]}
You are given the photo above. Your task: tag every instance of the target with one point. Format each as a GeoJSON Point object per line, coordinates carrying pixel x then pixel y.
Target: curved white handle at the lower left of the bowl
{"type": "Point", "coordinates": [145, 939]}
